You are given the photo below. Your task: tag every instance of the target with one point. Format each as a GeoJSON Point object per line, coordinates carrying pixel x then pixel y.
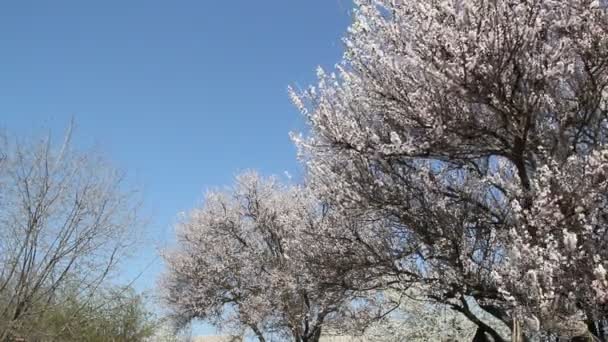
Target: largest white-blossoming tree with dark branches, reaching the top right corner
{"type": "Point", "coordinates": [478, 130]}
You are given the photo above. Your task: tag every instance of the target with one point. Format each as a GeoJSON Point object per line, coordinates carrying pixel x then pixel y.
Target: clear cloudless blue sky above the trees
{"type": "Point", "coordinates": [181, 94]}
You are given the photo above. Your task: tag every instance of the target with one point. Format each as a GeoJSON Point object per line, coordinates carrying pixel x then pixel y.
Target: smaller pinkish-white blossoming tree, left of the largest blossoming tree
{"type": "Point", "coordinates": [238, 264]}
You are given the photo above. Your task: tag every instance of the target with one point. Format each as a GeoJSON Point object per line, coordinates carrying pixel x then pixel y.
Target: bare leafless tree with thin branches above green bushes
{"type": "Point", "coordinates": [65, 218]}
